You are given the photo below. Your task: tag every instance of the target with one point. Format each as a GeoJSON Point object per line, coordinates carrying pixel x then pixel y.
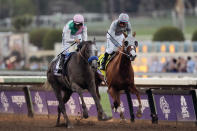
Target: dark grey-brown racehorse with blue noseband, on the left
{"type": "Point", "coordinates": [80, 76]}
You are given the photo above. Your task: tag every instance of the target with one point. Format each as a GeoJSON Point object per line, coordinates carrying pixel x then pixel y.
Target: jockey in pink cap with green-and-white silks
{"type": "Point", "coordinates": [73, 32]}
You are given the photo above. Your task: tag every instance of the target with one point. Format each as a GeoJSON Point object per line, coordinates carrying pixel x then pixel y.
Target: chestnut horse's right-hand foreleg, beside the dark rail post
{"type": "Point", "coordinates": [139, 111]}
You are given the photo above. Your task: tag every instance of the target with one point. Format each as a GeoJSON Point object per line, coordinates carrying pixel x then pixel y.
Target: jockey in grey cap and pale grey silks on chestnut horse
{"type": "Point", "coordinates": [115, 36]}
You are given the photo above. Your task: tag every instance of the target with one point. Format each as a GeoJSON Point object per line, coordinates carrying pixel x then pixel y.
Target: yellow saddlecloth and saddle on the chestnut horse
{"type": "Point", "coordinates": [100, 59]}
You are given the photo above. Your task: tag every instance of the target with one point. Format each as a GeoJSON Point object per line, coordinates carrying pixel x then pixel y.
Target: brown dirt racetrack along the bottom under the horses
{"type": "Point", "coordinates": [22, 123]}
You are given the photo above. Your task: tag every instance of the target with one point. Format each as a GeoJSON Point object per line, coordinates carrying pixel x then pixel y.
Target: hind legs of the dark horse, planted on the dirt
{"type": "Point", "coordinates": [61, 108]}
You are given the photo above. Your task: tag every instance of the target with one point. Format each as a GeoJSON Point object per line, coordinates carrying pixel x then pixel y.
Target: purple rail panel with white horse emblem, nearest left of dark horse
{"type": "Point", "coordinates": [39, 102]}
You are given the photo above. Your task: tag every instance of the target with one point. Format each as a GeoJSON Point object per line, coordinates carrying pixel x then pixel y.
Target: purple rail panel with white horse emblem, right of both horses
{"type": "Point", "coordinates": [165, 107]}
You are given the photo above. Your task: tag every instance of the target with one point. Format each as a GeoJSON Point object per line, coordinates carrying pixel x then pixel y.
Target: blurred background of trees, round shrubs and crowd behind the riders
{"type": "Point", "coordinates": [31, 30]}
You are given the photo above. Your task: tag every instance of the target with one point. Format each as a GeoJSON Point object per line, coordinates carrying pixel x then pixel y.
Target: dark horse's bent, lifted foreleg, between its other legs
{"type": "Point", "coordinates": [77, 89]}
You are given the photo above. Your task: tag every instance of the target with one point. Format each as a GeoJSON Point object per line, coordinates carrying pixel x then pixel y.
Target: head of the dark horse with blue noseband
{"type": "Point", "coordinates": [89, 51]}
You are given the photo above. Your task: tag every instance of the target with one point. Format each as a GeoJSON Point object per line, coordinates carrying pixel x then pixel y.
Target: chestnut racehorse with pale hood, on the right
{"type": "Point", "coordinates": [120, 74]}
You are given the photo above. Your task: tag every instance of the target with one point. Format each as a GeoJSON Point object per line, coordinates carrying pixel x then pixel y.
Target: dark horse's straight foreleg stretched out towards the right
{"type": "Point", "coordinates": [101, 113]}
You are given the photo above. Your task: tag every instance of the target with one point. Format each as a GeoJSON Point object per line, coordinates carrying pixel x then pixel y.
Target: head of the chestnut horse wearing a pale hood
{"type": "Point", "coordinates": [129, 47]}
